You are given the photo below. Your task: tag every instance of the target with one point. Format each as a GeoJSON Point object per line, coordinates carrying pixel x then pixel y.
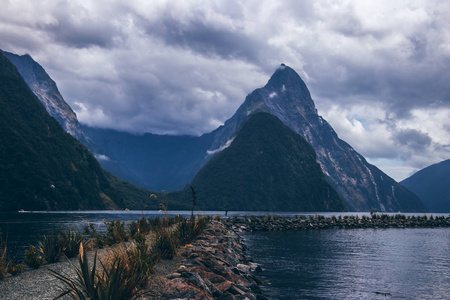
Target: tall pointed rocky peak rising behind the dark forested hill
{"type": "Point", "coordinates": [361, 186]}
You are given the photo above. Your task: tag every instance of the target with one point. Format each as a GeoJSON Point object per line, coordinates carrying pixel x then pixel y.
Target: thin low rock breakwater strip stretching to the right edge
{"type": "Point", "coordinates": [273, 223]}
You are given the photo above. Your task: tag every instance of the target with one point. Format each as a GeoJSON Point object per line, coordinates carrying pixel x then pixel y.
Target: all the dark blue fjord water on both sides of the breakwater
{"type": "Point", "coordinates": [316, 264]}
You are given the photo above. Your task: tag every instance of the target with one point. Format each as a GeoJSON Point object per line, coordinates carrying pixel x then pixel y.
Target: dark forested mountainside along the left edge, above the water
{"type": "Point", "coordinates": [44, 168]}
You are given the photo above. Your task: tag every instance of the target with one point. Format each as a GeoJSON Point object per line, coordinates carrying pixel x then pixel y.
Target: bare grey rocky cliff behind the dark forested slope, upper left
{"type": "Point", "coordinates": [48, 94]}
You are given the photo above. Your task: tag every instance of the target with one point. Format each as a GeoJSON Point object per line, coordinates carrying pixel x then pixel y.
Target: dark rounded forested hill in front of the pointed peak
{"type": "Point", "coordinates": [266, 167]}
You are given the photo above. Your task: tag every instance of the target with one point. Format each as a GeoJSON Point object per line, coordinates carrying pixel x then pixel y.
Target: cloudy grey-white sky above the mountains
{"type": "Point", "coordinates": [378, 71]}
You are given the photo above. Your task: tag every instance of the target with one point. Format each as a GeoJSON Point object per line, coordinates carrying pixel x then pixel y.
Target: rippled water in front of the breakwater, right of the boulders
{"type": "Point", "coordinates": [353, 263]}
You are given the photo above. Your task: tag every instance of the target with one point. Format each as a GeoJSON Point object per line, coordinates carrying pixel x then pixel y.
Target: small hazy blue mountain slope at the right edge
{"type": "Point", "coordinates": [432, 185]}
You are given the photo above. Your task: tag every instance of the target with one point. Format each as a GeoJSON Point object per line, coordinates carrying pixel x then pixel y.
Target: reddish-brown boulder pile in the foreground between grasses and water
{"type": "Point", "coordinates": [214, 267]}
